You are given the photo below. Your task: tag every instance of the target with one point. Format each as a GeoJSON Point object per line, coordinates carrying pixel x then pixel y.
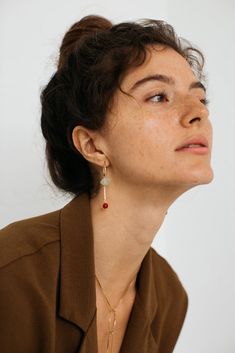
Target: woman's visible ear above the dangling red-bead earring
{"type": "Point", "coordinates": [87, 143]}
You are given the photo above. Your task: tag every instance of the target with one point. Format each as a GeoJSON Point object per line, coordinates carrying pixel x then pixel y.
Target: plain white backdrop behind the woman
{"type": "Point", "coordinates": [197, 237]}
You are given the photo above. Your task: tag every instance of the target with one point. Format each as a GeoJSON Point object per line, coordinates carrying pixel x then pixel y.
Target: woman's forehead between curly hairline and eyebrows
{"type": "Point", "coordinates": [160, 60]}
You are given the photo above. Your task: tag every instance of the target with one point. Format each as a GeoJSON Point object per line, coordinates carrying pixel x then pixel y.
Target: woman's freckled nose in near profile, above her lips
{"type": "Point", "coordinates": [194, 112]}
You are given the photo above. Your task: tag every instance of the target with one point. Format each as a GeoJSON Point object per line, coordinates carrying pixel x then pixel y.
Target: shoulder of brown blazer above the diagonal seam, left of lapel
{"type": "Point", "coordinates": [26, 237]}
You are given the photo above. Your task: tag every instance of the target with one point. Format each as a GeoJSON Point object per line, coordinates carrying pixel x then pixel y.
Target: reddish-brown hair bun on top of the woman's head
{"type": "Point", "coordinates": [88, 25]}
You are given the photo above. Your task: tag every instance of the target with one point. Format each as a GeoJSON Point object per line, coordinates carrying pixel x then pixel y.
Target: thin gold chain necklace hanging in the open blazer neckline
{"type": "Point", "coordinates": [112, 323]}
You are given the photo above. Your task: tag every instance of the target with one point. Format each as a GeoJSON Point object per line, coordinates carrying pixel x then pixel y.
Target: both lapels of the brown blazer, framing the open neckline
{"type": "Point", "coordinates": [77, 282]}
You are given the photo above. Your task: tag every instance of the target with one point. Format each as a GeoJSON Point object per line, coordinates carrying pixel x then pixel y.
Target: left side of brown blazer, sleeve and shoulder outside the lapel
{"type": "Point", "coordinates": [29, 279]}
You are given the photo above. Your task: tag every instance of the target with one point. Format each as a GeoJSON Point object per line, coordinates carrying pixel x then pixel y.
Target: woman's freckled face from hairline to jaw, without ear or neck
{"type": "Point", "coordinates": [163, 114]}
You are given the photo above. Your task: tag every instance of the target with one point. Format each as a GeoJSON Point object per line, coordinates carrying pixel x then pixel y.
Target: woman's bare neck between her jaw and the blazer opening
{"type": "Point", "coordinates": [123, 232]}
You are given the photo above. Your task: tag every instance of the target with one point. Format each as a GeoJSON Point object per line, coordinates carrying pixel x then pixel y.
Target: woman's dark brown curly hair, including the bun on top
{"type": "Point", "coordinates": [94, 57]}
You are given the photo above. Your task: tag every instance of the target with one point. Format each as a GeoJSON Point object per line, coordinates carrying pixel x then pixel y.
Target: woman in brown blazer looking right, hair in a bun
{"type": "Point", "coordinates": [126, 125]}
